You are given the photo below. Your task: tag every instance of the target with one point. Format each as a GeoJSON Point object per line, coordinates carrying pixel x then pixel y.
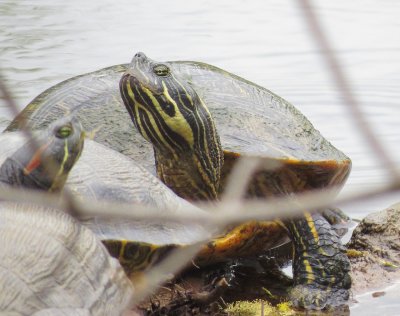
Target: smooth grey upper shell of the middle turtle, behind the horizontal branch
{"type": "Point", "coordinates": [106, 175]}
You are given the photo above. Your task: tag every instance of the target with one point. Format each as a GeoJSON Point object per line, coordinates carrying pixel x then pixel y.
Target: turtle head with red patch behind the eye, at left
{"type": "Point", "coordinates": [47, 166]}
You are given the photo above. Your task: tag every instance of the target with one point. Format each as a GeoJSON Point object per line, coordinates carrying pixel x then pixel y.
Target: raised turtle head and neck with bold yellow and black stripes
{"type": "Point", "coordinates": [168, 112]}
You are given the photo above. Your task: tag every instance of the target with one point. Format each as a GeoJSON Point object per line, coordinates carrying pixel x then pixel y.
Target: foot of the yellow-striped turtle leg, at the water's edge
{"type": "Point", "coordinates": [311, 298]}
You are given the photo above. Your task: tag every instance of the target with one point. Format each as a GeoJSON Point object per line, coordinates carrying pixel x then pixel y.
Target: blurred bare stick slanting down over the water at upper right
{"type": "Point", "coordinates": [343, 85]}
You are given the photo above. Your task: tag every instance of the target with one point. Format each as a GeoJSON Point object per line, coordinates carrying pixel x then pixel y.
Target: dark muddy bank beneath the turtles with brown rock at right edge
{"type": "Point", "coordinates": [374, 252]}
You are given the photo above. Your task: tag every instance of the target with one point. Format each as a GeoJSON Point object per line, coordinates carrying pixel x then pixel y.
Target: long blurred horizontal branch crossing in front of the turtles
{"type": "Point", "coordinates": [249, 210]}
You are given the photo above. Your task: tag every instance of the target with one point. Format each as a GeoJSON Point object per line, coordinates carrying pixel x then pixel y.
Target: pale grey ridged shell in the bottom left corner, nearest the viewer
{"type": "Point", "coordinates": [49, 261]}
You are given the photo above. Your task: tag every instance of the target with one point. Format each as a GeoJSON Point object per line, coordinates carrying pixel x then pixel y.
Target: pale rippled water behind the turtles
{"type": "Point", "coordinates": [43, 42]}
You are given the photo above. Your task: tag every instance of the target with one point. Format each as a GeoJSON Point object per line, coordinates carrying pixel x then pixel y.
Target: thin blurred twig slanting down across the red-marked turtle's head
{"type": "Point", "coordinates": [12, 106]}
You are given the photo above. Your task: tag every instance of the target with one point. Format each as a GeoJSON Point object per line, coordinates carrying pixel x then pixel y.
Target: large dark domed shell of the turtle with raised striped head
{"type": "Point", "coordinates": [250, 120]}
